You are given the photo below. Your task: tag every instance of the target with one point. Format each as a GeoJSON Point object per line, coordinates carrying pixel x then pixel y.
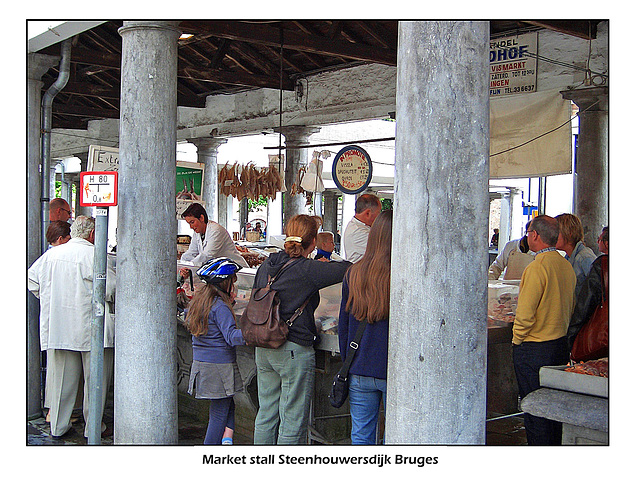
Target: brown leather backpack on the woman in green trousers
{"type": "Point", "coordinates": [260, 323]}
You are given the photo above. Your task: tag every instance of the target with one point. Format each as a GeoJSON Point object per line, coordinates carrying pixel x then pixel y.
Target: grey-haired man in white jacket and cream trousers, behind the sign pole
{"type": "Point", "coordinates": [62, 278]}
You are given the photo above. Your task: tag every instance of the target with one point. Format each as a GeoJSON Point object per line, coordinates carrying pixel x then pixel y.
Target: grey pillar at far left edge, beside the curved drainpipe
{"type": "Point", "coordinates": [37, 65]}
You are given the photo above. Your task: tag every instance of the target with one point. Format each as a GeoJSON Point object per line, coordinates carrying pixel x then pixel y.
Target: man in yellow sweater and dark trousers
{"type": "Point", "coordinates": [544, 309]}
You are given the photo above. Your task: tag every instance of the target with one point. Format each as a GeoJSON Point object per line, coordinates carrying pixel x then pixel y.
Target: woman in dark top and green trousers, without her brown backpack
{"type": "Point", "coordinates": [286, 374]}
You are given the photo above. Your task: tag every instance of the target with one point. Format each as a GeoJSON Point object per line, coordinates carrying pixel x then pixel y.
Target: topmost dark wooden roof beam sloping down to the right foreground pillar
{"type": "Point", "coordinates": [265, 35]}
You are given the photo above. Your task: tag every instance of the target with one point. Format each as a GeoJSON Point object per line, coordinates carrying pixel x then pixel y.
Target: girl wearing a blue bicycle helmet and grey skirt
{"type": "Point", "coordinates": [214, 372]}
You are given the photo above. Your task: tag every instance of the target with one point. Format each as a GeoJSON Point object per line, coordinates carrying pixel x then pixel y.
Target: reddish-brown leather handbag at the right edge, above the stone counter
{"type": "Point", "coordinates": [592, 341]}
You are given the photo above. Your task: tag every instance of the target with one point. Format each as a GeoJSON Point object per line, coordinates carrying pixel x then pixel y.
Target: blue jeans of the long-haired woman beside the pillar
{"type": "Point", "coordinates": [365, 394]}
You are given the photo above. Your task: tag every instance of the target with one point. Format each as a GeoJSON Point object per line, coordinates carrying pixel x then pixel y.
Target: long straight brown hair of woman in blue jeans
{"type": "Point", "coordinates": [369, 279]}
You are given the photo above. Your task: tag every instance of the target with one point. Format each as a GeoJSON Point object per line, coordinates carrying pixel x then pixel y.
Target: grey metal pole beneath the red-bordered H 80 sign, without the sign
{"type": "Point", "coordinates": [97, 326]}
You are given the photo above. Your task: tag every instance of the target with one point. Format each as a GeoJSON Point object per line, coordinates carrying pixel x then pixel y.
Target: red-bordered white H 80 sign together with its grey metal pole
{"type": "Point", "coordinates": [98, 189]}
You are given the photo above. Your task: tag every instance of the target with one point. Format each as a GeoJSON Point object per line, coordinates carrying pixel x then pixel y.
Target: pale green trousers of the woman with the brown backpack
{"type": "Point", "coordinates": [285, 387]}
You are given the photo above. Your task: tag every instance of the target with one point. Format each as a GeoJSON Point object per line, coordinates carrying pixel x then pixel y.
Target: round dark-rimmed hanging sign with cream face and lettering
{"type": "Point", "coordinates": [352, 169]}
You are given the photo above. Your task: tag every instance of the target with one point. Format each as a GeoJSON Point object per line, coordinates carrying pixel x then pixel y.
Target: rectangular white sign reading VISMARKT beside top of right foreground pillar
{"type": "Point", "coordinates": [513, 64]}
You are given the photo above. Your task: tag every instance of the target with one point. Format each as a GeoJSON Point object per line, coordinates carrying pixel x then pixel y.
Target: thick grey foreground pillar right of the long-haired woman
{"type": "Point", "coordinates": [436, 390]}
